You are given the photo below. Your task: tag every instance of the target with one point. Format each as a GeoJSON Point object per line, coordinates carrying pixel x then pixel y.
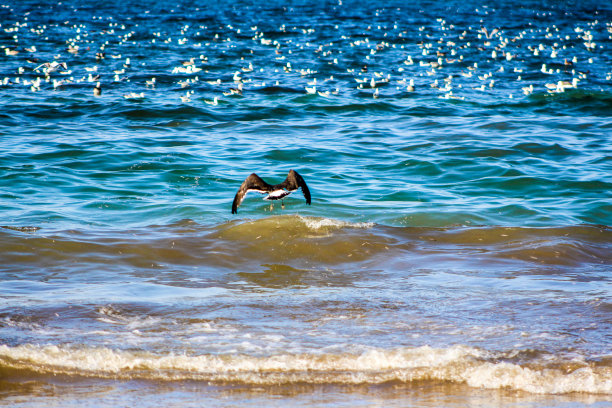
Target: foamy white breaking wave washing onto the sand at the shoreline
{"type": "Point", "coordinates": [543, 374]}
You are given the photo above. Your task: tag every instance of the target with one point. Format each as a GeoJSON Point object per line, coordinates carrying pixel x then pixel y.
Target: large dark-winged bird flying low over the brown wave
{"type": "Point", "coordinates": [274, 192]}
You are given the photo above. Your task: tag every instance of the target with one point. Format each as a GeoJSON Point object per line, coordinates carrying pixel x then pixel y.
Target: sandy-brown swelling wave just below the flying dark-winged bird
{"type": "Point", "coordinates": [300, 241]}
